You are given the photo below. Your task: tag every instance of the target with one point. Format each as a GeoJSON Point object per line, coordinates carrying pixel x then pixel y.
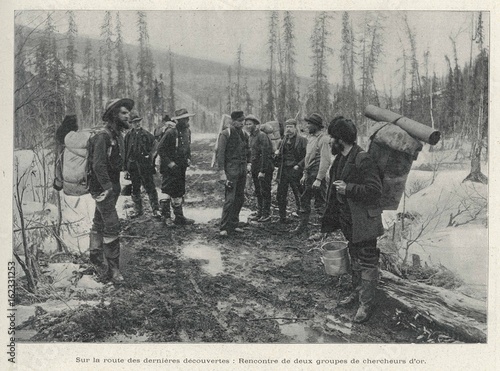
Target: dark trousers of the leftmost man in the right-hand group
{"type": "Point", "coordinates": [234, 195]}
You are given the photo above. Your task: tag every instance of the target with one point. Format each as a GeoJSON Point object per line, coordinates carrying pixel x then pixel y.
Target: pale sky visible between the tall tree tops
{"type": "Point", "coordinates": [216, 35]}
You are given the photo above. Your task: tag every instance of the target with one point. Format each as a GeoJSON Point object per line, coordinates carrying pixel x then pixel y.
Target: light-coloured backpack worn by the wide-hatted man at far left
{"type": "Point", "coordinates": [76, 166]}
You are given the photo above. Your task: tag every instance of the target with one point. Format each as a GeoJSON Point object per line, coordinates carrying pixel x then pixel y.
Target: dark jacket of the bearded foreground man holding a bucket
{"type": "Point", "coordinates": [363, 193]}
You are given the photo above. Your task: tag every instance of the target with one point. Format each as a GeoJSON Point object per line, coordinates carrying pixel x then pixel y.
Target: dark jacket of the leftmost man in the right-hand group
{"type": "Point", "coordinates": [232, 148]}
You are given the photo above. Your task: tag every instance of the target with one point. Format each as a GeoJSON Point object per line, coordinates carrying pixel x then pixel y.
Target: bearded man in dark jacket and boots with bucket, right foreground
{"type": "Point", "coordinates": [353, 206]}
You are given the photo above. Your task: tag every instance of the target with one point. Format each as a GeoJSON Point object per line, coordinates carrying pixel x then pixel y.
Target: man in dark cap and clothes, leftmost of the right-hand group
{"type": "Point", "coordinates": [232, 159]}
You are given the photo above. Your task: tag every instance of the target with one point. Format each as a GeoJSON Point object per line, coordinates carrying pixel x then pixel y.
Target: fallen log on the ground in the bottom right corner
{"type": "Point", "coordinates": [456, 313]}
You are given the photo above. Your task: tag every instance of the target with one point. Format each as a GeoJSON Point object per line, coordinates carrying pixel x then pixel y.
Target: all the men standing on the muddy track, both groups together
{"type": "Point", "coordinates": [348, 200]}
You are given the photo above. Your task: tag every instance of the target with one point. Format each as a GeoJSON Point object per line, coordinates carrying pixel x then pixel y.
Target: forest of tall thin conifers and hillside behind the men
{"type": "Point", "coordinates": [58, 72]}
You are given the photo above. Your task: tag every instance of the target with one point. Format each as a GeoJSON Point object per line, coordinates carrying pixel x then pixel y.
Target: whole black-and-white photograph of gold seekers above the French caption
{"type": "Point", "coordinates": [250, 177]}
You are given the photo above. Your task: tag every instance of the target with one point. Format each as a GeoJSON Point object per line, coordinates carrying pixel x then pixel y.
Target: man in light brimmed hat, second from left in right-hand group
{"type": "Point", "coordinates": [261, 167]}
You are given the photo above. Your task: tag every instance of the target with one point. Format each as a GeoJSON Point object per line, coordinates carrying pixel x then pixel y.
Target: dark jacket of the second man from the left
{"type": "Point", "coordinates": [138, 145]}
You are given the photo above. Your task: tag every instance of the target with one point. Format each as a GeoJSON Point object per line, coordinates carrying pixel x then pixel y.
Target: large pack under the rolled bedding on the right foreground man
{"type": "Point", "coordinates": [394, 151]}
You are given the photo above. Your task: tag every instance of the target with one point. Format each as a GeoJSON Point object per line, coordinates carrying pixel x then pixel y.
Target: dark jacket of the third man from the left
{"type": "Point", "coordinates": [176, 147]}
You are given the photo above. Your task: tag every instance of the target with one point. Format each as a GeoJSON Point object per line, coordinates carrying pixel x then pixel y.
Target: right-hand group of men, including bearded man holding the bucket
{"type": "Point", "coordinates": [348, 200]}
